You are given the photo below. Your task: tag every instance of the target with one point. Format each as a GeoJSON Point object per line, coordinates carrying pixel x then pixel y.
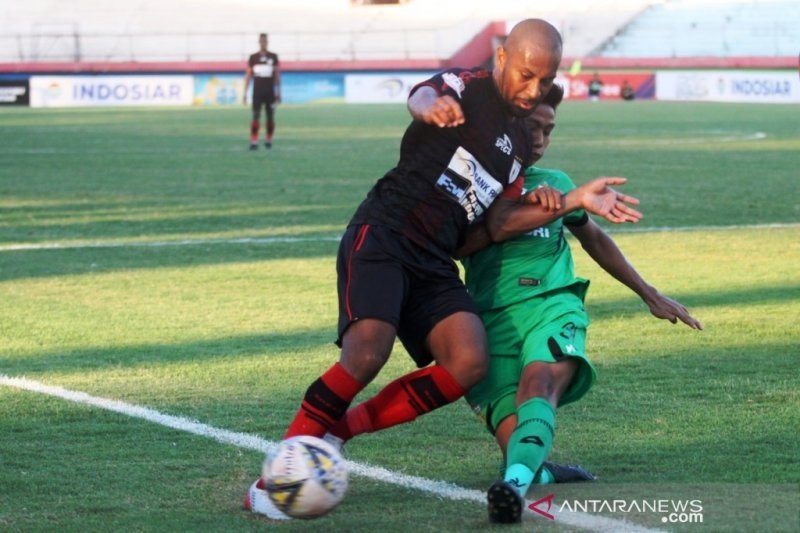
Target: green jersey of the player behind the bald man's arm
{"type": "Point", "coordinates": [528, 265]}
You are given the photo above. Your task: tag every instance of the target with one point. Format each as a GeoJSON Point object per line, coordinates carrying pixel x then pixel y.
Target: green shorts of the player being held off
{"type": "Point", "coordinates": [545, 328]}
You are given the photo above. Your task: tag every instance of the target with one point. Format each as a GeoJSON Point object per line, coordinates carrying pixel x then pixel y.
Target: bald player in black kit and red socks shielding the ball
{"type": "Point", "coordinates": [466, 148]}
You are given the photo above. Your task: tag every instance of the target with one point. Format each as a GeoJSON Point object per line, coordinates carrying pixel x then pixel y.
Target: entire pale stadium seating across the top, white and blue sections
{"type": "Point", "coordinates": [339, 30]}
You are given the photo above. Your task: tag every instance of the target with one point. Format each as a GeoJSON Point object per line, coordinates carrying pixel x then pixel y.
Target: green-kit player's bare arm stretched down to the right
{"type": "Point", "coordinates": [605, 252]}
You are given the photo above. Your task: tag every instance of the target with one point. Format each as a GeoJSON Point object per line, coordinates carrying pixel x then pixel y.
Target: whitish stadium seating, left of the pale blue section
{"type": "Point", "coordinates": [189, 30]}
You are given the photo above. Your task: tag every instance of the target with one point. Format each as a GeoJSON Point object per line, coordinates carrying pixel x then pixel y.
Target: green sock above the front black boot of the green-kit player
{"type": "Point", "coordinates": [530, 443]}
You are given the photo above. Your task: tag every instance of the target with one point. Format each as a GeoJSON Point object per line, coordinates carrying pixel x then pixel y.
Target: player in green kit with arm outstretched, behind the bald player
{"type": "Point", "coordinates": [531, 303]}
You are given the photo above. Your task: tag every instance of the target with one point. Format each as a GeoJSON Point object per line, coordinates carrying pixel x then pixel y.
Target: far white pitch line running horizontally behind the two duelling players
{"type": "Point", "coordinates": [336, 238]}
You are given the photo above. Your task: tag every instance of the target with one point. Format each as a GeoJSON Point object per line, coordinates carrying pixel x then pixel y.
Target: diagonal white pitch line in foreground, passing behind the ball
{"type": "Point", "coordinates": [441, 489]}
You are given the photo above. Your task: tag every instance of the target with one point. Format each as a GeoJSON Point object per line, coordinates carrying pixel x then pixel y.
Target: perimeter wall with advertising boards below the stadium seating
{"type": "Point", "coordinates": [88, 84]}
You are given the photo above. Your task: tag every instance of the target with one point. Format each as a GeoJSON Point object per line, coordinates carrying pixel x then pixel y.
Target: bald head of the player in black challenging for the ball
{"type": "Point", "coordinates": [526, 64]}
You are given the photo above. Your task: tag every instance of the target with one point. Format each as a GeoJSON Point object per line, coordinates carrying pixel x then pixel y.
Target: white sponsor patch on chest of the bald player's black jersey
{"type": "Point", "coordinates": [468, 183]}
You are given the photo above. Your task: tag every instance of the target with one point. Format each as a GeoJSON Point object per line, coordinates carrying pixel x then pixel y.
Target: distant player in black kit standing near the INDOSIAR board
{"type": "Point", "coordinates": [263, 67]}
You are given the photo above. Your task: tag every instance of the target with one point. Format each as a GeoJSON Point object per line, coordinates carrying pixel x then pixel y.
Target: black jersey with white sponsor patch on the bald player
{"type": "Point", "coordinates": [447, 177]}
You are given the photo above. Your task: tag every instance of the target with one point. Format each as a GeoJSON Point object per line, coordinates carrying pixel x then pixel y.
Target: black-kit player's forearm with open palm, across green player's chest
{"type": "Point", "coordinates": [506, 219]}
